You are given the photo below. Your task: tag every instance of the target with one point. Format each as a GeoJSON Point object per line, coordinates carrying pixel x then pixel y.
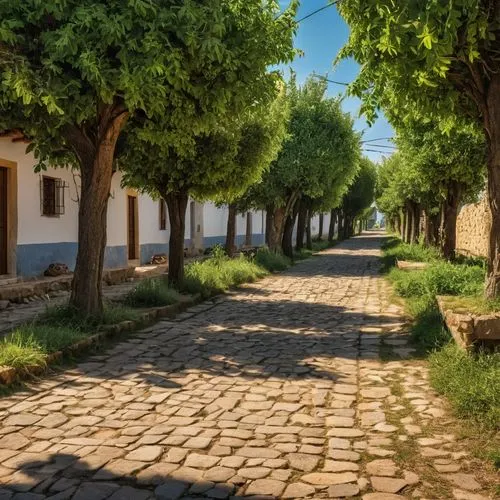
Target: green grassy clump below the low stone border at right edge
{"type": "Point", "coordinates": [469, 381]}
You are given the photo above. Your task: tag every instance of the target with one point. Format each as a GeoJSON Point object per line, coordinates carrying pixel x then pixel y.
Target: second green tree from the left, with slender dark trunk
{"type": "Point", "coordinates": [217, 165]}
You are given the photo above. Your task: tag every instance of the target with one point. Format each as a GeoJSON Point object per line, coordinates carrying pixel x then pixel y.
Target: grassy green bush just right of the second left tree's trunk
{"type": "Point", "coordinates": [218, 273]}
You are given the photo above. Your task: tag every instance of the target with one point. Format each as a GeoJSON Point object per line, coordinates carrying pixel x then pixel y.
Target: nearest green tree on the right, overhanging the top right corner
{"type": "Point", "coordinates": [438, 58]}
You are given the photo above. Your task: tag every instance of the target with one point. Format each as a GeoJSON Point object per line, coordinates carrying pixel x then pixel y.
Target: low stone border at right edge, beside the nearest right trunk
{"type": "Point", "coordinates": [470, 330]}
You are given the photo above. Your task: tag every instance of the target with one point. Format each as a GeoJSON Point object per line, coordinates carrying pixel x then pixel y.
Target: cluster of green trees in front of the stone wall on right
{"type": "Point", "coordinates": [432, 173]}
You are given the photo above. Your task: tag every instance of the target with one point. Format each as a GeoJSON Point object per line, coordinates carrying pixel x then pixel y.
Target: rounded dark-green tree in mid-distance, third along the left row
{"type": "Point", "coordinates": [320, 154]}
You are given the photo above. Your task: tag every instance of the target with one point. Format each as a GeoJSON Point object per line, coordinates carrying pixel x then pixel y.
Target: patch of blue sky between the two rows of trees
{"type": "Point", "coordinates": [320, 38]}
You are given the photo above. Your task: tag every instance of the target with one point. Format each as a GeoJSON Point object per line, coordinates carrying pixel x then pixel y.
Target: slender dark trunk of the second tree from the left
{"type": "Point", "coordinates": [177, 204]}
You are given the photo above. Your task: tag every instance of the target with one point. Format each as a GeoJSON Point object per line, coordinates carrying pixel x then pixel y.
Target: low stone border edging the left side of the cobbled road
{"type": "Point", "coordinates": [9, 375]}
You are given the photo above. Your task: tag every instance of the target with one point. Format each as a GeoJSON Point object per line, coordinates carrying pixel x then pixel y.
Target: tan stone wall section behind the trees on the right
{"type": "Point", "coordinates": [473, 225]}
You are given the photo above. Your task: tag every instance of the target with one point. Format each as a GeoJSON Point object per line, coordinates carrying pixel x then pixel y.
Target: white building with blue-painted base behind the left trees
{"type": "Point", "coordinates": [39, 219]}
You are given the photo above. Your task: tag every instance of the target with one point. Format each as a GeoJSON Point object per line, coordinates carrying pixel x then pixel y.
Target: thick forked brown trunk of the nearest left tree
{"type": "Point", "coordinates": [96, 170]}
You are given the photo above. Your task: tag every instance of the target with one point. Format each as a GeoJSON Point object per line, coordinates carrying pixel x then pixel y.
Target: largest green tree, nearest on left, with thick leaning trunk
{"type": "Point", "coordinates": [73, 72]}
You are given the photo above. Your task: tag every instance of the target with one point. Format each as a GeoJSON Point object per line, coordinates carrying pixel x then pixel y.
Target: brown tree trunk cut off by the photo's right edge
{"type": "Point", "coordinates": [491, 117]}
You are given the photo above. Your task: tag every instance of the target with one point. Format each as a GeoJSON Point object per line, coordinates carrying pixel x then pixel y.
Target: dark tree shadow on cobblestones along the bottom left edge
{"type": "Point", "coordinates": [104, 472]}
